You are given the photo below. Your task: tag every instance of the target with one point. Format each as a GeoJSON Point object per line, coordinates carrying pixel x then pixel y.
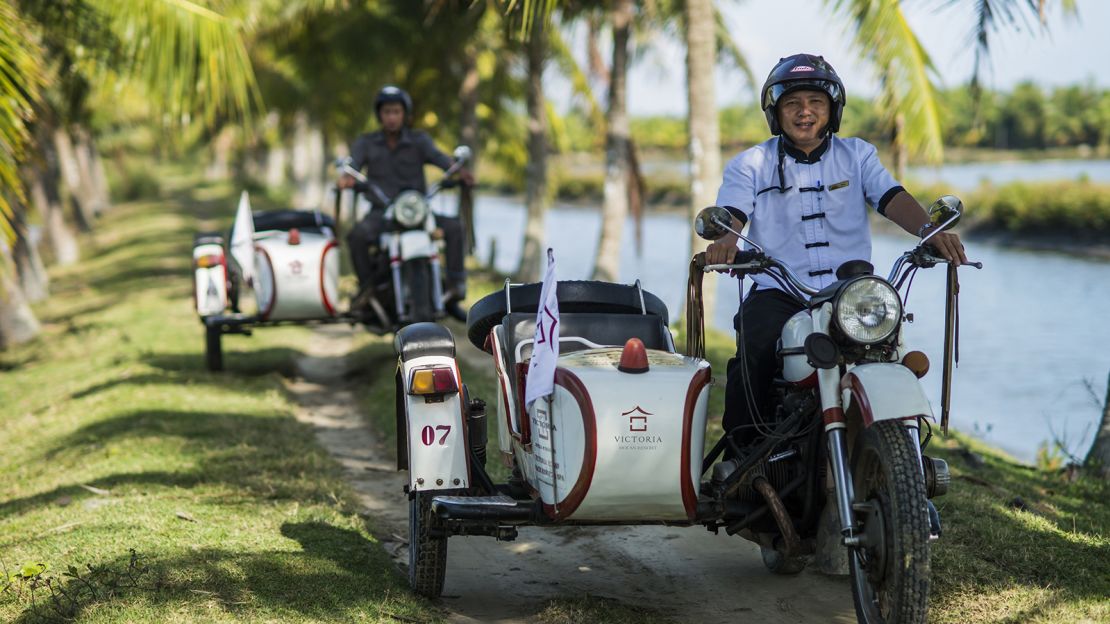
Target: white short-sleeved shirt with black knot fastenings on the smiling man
{"type": "Point", "coordinates": [821, 220]}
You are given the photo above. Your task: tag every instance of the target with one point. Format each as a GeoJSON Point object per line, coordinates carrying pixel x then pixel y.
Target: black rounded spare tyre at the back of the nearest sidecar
{"type": "Point", "coordinates": [574, 297]}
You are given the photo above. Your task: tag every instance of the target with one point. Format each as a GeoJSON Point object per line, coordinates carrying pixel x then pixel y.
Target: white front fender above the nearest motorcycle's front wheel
{"type": "Point", "coordinates": [884, 392]}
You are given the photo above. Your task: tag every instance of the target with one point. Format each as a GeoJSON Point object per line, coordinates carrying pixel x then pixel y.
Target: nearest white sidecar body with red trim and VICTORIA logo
{"type": "Point", "coordinates": [613, 445]}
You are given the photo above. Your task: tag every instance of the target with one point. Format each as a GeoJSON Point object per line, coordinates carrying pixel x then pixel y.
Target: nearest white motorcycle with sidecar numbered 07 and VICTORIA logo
{"type": "Point", "coordinates": [622, 439]}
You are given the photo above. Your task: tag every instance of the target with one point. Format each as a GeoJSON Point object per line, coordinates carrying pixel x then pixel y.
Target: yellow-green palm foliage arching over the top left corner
{"type": "Point", "coordinates": [190, 59]}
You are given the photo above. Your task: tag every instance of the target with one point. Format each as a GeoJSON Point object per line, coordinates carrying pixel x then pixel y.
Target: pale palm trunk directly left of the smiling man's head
{"type": "Point", "coordinates": [704, 128]}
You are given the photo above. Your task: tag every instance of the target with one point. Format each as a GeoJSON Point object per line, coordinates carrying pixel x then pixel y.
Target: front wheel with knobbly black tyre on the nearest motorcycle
{"type": "Point", "coordinates": [891, 570]}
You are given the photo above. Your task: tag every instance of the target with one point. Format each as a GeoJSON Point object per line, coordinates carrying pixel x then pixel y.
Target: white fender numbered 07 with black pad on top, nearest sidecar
{"type": "Point", "coordinates": [432, 441]}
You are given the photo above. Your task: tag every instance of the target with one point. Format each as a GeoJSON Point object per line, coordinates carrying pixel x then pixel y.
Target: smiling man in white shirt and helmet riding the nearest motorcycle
{"type": "Point", "coordinates": [806, 194]}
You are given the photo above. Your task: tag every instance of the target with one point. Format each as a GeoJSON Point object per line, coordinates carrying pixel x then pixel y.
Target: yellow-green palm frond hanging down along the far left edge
{"type": "Point", "coordinates": [22, 76]}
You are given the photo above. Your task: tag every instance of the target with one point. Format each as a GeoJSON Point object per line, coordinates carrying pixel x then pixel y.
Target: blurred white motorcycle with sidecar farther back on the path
{"type": "Point", "coordinates": [290, 259]}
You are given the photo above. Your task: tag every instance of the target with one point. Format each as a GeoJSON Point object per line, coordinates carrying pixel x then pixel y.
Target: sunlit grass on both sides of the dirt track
{"type": "Point", "coordinates": [117, 438]}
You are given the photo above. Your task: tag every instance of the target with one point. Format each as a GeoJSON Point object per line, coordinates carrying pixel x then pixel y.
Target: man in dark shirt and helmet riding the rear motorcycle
{"type": "Point", "coordinates": [393, 159]}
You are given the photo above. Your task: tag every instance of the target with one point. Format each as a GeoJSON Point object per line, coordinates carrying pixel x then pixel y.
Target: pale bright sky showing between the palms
{"type": "Point", "coordinates": [766, 31]}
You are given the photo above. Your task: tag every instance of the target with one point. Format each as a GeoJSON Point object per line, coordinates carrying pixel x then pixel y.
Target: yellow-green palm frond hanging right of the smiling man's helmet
{"type": "Point", "coordinates": [885, 39]}
